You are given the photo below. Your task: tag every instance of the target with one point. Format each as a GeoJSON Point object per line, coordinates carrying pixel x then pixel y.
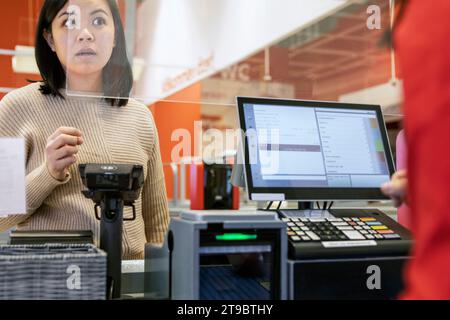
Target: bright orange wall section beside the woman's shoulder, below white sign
{"type": "Point", "coordinates": [171, 115]}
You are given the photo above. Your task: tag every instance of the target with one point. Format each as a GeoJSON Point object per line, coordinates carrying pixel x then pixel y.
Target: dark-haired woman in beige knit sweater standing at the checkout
{"type": "Point", "coordinates": [80, 47]}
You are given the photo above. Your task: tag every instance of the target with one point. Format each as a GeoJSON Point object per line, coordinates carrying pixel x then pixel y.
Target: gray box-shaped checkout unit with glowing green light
{"type": "Point", "coordinates": [220, 255]}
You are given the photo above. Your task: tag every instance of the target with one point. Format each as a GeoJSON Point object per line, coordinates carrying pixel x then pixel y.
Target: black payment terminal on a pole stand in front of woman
{"type": "Point", "coordinates": [111, 187]}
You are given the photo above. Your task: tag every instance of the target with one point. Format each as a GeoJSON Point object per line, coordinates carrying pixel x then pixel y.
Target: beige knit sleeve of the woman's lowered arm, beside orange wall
{"type": "Point", "coordinates": [155, 209]}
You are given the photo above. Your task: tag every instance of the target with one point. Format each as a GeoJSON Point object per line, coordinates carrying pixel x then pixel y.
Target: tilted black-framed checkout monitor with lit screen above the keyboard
{"type": "Point", "coordinates": [315, 149]}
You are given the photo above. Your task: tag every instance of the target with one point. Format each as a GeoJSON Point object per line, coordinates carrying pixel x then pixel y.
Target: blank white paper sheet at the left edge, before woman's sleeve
{"type": "Point", "coordinates": [12, 176]}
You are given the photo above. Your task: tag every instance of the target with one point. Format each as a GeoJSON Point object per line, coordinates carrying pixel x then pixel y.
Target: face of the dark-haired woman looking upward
{"type": "Point", "coordinates": [82, 36]}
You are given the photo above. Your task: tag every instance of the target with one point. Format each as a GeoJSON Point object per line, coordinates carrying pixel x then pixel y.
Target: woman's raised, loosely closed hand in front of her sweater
{"type": "Point", "coordinates": [61, 150]}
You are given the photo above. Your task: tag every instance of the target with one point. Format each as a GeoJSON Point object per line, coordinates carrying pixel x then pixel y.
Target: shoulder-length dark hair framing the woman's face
{"type": "Point", "coordinates": [117, 74]}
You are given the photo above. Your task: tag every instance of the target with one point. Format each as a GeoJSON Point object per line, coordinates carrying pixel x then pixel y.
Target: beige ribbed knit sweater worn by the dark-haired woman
{"type": "Point", "coordinates": [111, 135]}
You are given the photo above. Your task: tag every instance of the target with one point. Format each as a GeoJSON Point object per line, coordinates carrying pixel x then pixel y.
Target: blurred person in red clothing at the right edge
{"type": "Point", "coordinates": [421, 41]}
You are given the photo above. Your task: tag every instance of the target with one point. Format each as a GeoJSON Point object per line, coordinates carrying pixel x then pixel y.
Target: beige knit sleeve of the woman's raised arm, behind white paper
{"type": "Point", "coordinates": [15, 122]}
